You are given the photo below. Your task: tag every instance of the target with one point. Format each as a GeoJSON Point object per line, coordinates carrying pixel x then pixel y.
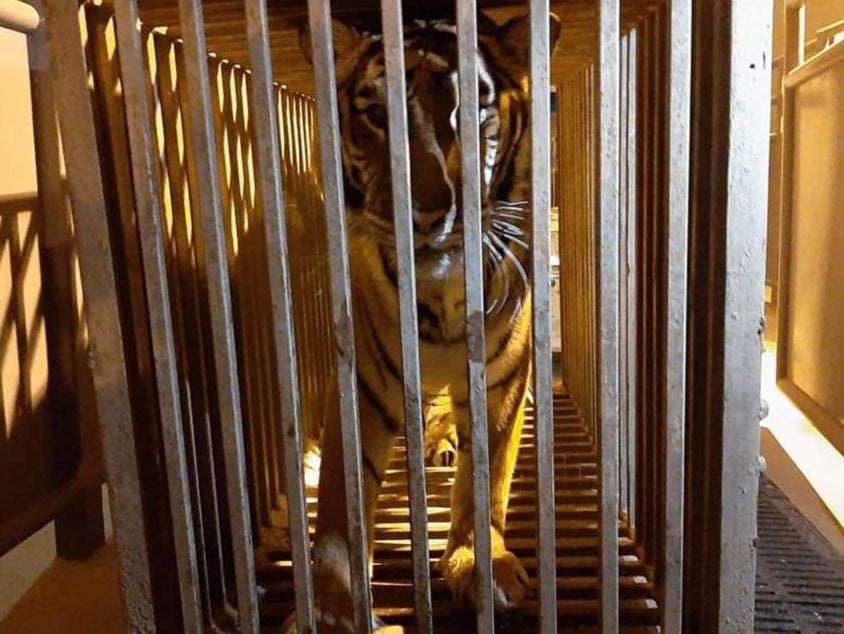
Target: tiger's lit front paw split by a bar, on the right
{"type": "Point", "coordinates": [510, 580]}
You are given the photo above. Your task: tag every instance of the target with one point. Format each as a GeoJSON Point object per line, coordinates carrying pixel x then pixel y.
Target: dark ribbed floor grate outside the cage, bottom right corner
{"type": "Point", "coordinates": [799, 576]}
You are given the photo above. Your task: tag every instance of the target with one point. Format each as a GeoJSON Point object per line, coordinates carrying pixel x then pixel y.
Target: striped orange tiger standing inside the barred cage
{"type": "Point", "coordinates": [431, 65]}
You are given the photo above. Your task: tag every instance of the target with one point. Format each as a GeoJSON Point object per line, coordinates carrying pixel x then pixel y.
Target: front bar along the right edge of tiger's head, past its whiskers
{"type": "Point", "coordinates": [540, 125]}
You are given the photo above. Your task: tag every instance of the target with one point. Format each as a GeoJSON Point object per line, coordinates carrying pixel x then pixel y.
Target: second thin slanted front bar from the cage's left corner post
{"type": "Point", "coordinates": [205, 152]}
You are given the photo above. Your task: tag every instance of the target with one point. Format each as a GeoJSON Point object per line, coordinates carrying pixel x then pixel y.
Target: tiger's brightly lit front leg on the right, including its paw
{"type": "Point", "coordinates": [505, 411]}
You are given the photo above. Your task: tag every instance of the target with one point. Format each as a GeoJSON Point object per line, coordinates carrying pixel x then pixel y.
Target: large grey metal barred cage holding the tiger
{"type": "Point", "coordinates": [208, 214]}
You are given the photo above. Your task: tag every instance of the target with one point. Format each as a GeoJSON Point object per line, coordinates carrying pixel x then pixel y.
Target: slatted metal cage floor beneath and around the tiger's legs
{"type": "Point", "coordinates": [577, 544]}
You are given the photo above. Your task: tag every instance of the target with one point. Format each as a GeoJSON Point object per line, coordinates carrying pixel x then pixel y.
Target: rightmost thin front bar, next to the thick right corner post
{"type": "Point", "coordinates": [677, 167]}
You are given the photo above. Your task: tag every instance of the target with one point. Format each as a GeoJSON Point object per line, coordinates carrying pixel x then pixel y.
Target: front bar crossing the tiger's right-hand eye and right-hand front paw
{"type": "Point", "coordinates": [467, 32]}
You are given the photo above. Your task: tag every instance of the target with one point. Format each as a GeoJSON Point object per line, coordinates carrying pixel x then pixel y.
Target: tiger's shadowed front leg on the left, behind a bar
{"type": "Point", "coordinates": [332, 581]}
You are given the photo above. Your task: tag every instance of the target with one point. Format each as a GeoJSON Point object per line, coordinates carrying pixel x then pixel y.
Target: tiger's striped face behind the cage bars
{"type": "Point", "coordinates": [431, 66]}
